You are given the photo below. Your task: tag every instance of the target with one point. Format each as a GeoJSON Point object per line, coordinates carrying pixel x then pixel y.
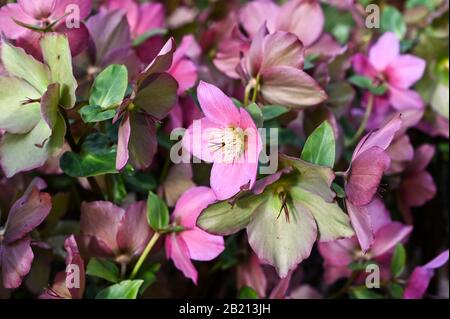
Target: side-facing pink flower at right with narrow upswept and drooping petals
{"type": "Point", "coordinates": [369, 162]}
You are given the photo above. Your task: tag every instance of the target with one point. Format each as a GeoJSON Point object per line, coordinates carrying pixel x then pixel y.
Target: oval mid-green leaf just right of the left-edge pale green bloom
{"type": "Point", "coordinates": [109, 87]}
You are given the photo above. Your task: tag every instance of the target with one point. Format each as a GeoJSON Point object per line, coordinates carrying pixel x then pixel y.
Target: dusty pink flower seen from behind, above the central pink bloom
{"type": "Point", "coordinates": [273, 67]}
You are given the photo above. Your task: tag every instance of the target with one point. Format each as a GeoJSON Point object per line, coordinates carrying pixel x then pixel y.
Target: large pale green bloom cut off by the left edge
{"type": "Point", "coordinates": [30, 96]}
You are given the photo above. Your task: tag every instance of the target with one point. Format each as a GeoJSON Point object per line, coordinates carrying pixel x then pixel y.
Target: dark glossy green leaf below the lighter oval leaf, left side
{"type": "Point", "coordinates": [96, 158]}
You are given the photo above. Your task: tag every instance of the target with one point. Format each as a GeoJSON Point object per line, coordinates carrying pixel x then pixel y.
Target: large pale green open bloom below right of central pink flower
{"type": "Point", "coordinates": [284, 214]}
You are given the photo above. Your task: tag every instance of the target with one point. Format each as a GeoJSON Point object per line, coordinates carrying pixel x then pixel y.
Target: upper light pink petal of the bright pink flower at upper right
{"type": "Point", "coordinates": [384, 51]}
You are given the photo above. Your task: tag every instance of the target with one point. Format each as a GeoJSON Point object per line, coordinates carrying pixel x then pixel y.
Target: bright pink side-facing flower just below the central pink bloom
{"type": "Point", "coordinates": [192, 242]}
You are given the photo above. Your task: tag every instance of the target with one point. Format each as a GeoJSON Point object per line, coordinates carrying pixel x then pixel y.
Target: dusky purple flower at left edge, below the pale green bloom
{"type": "Point", "coordinates": [16, 256]}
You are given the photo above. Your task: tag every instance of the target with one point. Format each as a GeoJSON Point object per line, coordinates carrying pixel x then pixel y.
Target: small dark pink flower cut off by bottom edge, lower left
{"type": "Point", "coordinates": [76, 276]}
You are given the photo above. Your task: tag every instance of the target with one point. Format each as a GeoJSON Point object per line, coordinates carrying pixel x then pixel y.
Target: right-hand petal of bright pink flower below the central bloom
{"type": "Point", "coordinates": [201, 245]}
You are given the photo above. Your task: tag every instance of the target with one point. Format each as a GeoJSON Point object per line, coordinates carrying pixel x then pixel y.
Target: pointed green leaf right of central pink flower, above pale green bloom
{"type": "Point", "coordinates": [320, 147]}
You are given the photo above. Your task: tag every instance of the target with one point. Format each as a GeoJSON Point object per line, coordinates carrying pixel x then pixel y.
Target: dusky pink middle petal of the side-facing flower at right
{"type": "Point", "coordinates": [365, 176]}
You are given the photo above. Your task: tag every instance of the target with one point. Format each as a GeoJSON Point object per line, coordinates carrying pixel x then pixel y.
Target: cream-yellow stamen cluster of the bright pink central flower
{"type": "Point", "coordinates": [227, 144]}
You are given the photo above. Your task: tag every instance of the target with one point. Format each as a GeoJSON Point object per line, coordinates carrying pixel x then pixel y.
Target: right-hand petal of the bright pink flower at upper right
{"type": "Point", "coordinates": [405, 70]}
